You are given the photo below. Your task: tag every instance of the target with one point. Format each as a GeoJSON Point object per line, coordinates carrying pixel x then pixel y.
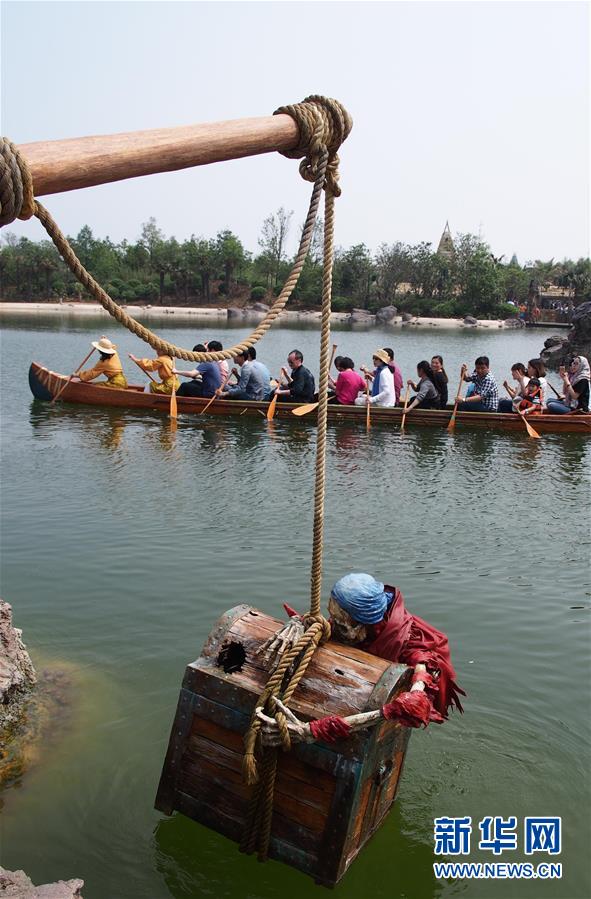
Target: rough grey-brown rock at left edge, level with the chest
{"type": "Point", "coordinates": [17, 675]}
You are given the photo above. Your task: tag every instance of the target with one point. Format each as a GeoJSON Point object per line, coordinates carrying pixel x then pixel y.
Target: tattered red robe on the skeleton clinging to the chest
{"type": "Point", "coordinates": [406, 638]}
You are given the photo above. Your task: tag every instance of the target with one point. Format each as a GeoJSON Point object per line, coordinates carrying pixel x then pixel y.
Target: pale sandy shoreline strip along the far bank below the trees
{"type": "Point", "coordinates": [388, 316]}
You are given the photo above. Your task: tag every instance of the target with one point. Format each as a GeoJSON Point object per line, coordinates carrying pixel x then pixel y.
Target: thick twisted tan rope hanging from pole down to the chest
{"type": "Point", "coordinates": [323, 125]}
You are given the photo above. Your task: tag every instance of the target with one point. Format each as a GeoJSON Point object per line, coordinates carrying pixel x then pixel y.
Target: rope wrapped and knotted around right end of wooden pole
{"type": "Point", "coordinates": [323, 124]}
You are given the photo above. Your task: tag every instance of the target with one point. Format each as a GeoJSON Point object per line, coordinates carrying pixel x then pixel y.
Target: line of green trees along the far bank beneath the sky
{"type": "Point", "coordinates": [200, 271]}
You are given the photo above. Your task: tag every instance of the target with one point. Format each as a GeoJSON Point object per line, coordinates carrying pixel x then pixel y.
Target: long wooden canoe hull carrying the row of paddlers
{"type": "Point", "coordinates": [45, 384]}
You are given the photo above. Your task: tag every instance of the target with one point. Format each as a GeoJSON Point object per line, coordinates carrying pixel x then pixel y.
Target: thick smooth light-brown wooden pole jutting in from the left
{"type": "Point", "coordinates": [63, 165]}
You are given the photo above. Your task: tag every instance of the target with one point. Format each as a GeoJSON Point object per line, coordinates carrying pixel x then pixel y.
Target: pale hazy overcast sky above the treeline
{"type": "Point", "coordinates": [468, 111]}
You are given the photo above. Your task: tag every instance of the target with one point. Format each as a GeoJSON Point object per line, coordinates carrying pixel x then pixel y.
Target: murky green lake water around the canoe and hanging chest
{"type": "Point", "coordinates": [121, 545]}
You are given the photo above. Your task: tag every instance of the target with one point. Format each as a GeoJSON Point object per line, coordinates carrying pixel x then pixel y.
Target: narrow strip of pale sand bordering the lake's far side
{"type": "Point", "coordinates": [143, 313]}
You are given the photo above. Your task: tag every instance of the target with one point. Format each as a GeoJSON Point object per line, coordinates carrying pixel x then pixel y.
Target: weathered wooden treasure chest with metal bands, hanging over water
{"type": "Point", "coordinates": [329, 799]}
